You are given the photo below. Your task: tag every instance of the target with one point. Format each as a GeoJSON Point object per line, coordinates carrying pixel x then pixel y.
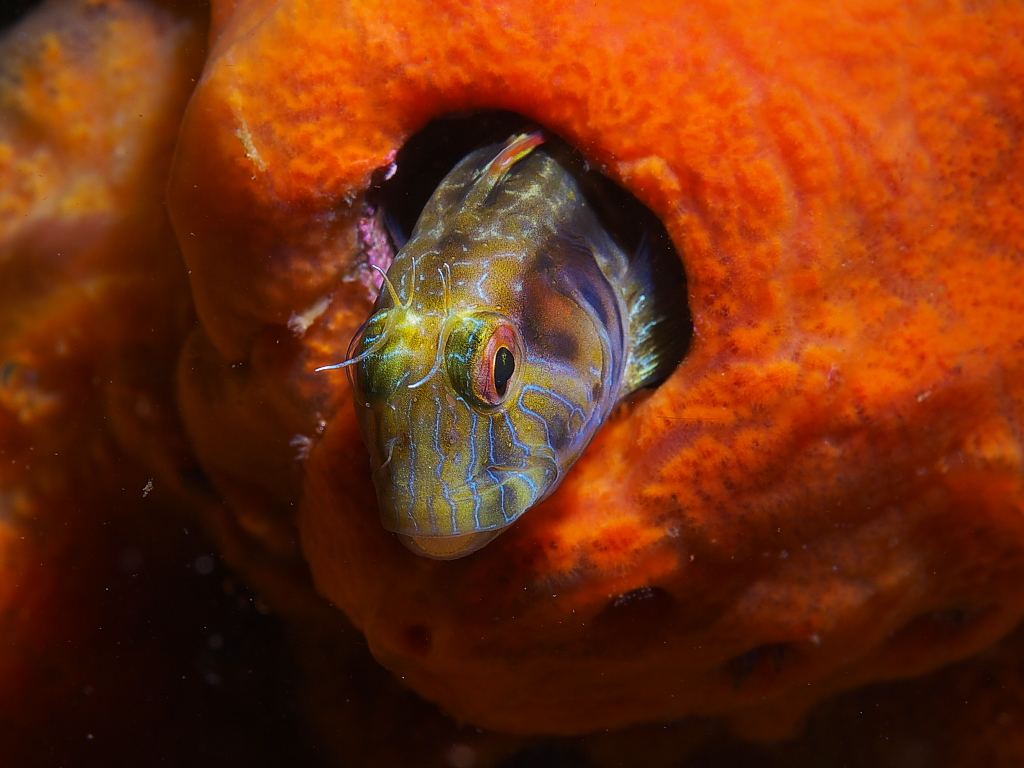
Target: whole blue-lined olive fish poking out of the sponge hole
{"type": "Point", "coordinates": [509, 326]}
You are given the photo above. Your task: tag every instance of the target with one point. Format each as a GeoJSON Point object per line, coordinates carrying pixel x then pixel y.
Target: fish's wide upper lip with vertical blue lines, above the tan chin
{"type": "Point", "coordinates": [489, 502]}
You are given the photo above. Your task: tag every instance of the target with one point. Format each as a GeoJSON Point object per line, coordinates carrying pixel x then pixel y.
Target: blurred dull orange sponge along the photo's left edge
{"type": "Point", "coordinates": [94, 307]}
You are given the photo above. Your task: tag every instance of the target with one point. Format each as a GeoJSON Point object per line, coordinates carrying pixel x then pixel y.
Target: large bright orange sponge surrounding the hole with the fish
{"type": "Point", "coordinates": [828, 492]}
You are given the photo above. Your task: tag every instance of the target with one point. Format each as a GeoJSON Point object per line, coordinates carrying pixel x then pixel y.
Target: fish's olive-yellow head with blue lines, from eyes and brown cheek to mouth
{"type": "Point", "coordinates": [473, 414]}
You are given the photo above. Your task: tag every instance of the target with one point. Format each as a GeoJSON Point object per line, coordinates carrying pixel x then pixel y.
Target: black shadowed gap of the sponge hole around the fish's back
{"type": "Point", "coordinates": [431, 154]}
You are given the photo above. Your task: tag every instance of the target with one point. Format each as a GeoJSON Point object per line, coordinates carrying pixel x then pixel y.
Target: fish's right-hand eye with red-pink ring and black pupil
{"type": "Point", "coordinates": [482, 359]}
